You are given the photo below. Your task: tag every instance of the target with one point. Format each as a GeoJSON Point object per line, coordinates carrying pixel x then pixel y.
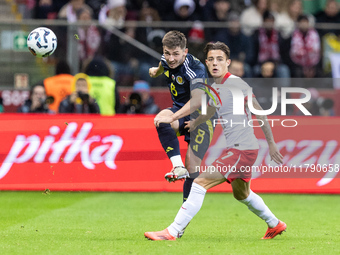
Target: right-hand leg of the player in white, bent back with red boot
{"type": "Point", "coordinates": [243, 193]}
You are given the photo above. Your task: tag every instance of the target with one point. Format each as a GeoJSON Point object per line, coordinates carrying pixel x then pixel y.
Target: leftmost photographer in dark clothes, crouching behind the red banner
{"type": "Point", "coordinates": [37, 103]}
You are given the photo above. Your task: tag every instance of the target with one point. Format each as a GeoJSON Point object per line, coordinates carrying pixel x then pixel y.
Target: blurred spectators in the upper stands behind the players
{"type": "Point", "coordinates": [259, 31]}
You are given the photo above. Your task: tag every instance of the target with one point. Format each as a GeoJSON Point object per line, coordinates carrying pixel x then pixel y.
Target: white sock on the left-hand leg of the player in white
{"type": "Point", "coordinates": [188, 210]}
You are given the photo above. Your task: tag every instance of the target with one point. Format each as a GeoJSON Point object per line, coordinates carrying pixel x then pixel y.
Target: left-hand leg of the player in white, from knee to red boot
{"type": "Point", "coordinates": [189, 208]}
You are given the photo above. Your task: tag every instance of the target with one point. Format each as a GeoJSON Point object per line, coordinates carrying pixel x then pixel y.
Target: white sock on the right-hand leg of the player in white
{"type": "Point", "coordinates": [257, 206]}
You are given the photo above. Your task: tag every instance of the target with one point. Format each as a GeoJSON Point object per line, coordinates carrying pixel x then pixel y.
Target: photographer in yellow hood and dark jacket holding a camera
{"type": "Point", "coordinates": [79, 101]}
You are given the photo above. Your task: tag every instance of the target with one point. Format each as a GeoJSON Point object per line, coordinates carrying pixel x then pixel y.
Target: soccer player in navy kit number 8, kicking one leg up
{"type": "Point", "coordinates": [180, 68]}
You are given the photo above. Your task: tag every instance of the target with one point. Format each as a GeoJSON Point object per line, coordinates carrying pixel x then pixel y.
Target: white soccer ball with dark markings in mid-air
{"type": "Point", "coordinates": [42, 42]}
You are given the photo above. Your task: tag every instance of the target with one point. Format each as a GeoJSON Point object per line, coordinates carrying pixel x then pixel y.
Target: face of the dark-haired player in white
{"type": "Point", "coordinates": [217, 63]}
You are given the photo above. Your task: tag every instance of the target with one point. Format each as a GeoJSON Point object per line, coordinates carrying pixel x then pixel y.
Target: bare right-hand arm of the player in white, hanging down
{"type": "Point", "coordinates": [273, 150]}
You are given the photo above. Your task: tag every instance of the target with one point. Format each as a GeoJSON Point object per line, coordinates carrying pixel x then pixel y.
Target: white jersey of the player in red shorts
{"type": "Point", "coordinates": [238, 131]}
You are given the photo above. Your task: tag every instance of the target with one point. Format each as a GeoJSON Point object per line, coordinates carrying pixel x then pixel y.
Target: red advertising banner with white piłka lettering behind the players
{"type": "Point", "coordinates": [122, 153]}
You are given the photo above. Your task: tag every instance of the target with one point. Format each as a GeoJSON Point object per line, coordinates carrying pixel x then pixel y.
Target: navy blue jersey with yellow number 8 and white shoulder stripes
{"type": "Point", "coordinates": [178, 79]}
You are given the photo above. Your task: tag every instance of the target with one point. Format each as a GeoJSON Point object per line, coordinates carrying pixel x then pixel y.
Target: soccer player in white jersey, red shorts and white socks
{"type": "Point", "coordinates": [241, 151]}
